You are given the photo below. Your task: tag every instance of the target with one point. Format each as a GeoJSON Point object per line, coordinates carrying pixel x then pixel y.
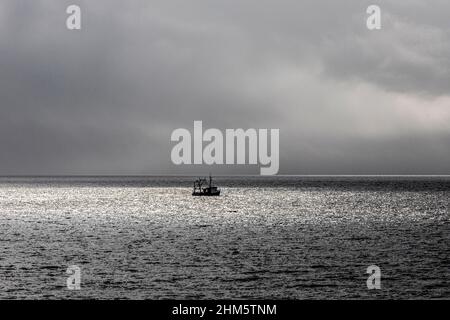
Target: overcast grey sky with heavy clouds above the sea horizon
{"type": "Point", "coordinates": [105, 99]}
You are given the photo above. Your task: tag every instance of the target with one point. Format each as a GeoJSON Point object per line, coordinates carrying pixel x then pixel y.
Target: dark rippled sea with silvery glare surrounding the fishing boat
{"type": "Point", "coordinates": [278, 237]}
